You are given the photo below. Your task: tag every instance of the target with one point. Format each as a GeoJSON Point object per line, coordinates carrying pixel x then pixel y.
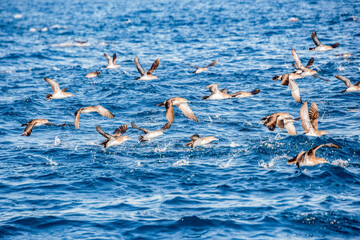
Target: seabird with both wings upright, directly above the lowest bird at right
{"type": "Point", "coordinates": [309, 121]}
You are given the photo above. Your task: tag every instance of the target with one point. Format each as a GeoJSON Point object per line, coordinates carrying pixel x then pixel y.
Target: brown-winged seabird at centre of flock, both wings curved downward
{"type": "Point", "coordinates": [180, 103]}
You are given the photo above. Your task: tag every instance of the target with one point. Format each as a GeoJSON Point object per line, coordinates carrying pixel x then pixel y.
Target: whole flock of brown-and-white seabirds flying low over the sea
{"type": "Point", "coordinates": [309, 119]}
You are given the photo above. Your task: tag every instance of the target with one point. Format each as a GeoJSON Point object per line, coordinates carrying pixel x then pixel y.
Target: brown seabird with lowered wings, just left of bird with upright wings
{"type": "Point", "coordinates": [281, 120]}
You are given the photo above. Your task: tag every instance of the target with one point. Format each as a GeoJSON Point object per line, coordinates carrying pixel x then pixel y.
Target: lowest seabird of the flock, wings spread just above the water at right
{"type": "Point", "coordinates": [308, 158]}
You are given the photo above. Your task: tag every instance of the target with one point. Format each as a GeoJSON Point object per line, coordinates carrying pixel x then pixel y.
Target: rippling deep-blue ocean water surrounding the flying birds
{"type": "Point", "coordinates": [60, 184]}
